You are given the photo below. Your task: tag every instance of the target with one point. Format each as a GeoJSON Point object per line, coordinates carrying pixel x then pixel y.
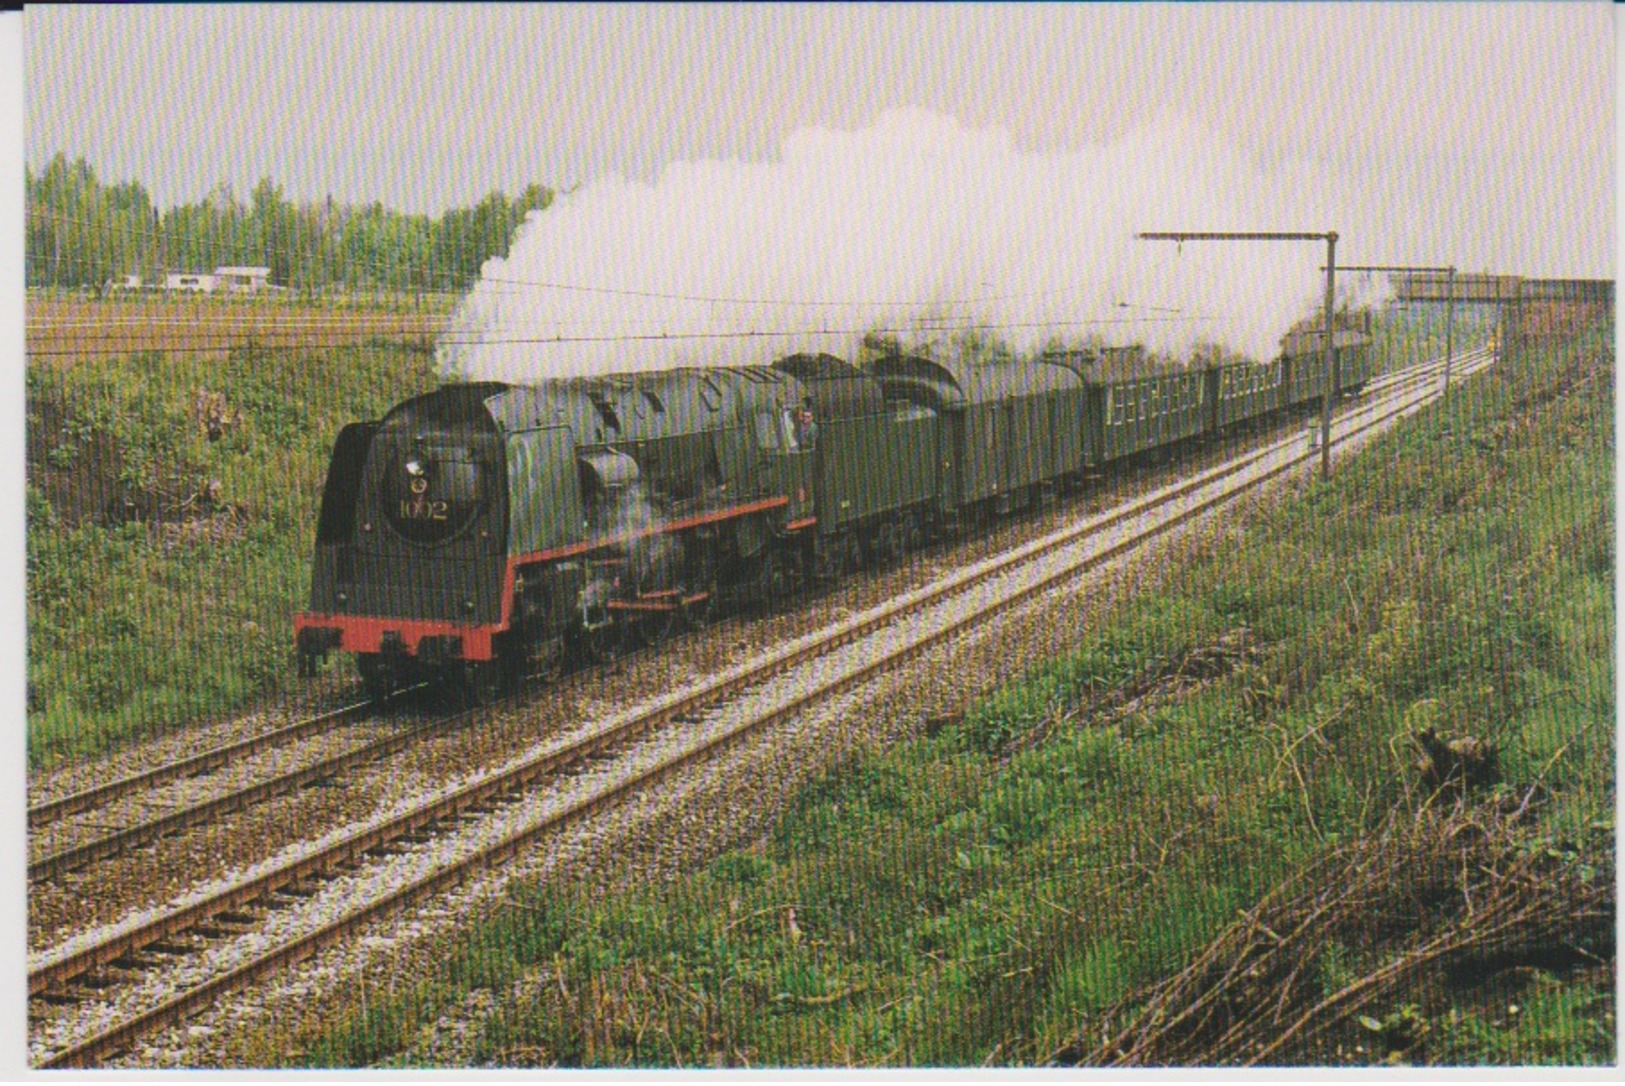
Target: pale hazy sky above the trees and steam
{"type": "Point", "coordinates": [1471, 132]}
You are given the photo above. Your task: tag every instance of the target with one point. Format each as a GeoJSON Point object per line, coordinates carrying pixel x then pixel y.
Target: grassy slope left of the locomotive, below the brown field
{"type": "Point", "coordinates": [171, 508]}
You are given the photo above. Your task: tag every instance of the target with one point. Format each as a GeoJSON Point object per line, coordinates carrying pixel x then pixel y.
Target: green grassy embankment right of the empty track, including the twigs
{"type": "Point", "coordinates": [1203, 835]}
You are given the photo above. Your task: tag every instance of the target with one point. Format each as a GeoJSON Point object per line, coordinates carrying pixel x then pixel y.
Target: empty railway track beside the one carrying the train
{"type": "Point", "coordinates": [719, 711]}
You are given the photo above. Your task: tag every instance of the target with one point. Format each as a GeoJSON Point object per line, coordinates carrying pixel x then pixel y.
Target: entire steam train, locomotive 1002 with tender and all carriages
{"type": "Point", "coordinates": [487, 531]}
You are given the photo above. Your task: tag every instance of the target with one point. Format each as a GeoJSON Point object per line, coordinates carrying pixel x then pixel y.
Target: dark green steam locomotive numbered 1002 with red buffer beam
{"type": "Point", "coordinates": [482, 531]}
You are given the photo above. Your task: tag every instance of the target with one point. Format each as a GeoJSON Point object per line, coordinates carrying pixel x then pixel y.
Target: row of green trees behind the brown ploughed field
{"type": "Point", "coordinates": [84, 233]}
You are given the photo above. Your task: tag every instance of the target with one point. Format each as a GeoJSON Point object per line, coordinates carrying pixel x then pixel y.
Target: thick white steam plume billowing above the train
{"type": "Point", "coordinates": [916, 227]}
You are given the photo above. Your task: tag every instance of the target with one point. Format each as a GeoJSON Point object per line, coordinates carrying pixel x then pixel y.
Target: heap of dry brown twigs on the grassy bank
{"type": "Point", "coordinates": [1432, 890]}
